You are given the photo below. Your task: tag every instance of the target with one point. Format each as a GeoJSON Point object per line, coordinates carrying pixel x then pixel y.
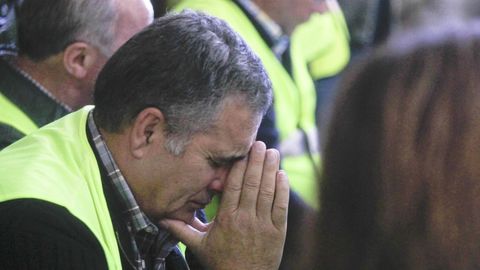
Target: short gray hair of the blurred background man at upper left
{"type": "Point", "coordinates": [47, 27]}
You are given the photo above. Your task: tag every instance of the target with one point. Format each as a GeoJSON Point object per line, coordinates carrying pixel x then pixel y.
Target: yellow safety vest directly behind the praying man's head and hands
{"type": "Point", "coordinates": [294, 100]}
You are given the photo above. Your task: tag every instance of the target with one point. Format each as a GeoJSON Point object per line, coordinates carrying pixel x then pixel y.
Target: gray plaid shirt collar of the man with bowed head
{"type": "Point", "coordinates": [148, 240]}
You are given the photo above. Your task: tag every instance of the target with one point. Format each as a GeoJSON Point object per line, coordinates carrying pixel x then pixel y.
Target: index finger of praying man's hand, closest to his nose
{"type": "Point", "coordinates": [233, 187]}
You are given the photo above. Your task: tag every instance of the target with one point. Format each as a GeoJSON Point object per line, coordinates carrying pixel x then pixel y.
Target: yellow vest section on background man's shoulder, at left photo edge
{"type": "Point", "coordinates": [13, 116]}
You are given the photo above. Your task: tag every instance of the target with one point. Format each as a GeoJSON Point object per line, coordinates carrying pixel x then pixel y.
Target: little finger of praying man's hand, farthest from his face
{"type": "Point", "coordinates": [280, 203]}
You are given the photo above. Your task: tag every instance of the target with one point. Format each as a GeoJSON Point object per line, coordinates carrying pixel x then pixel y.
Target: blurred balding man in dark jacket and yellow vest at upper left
{"type": "Point", "coordinates": [62, 45]}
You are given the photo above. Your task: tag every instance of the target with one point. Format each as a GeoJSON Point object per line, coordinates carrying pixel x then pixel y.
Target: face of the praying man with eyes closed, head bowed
{"type": "Point", "coordinates": [177, 186]}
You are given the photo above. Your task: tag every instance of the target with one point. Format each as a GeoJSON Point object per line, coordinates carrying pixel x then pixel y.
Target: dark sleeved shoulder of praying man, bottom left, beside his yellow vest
{"type": "Point", "coordinates": [36, 234]}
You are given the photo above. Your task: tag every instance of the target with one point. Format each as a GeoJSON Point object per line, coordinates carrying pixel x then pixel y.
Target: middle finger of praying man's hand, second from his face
{"type": "Point", "coordinates": [252, 178]}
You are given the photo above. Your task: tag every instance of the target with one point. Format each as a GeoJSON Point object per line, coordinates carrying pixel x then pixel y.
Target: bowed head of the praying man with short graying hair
{"type": "Point", "coordinates": [178, 104]}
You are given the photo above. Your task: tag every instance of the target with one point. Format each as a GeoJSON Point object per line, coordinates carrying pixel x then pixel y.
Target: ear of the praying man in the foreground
{"type": "Point", "coordinates": [147, 131]}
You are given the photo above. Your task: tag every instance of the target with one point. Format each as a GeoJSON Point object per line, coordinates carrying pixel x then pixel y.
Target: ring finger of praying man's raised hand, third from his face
{"type": "Point", "coordinates": [267, 186]}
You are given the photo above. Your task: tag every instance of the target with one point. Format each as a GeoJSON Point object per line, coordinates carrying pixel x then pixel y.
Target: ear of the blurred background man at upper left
{"type": "Point", "coordinates": [79, 58]}
